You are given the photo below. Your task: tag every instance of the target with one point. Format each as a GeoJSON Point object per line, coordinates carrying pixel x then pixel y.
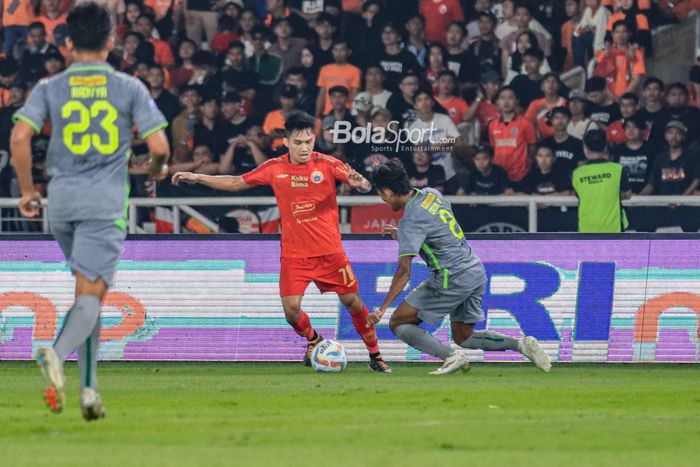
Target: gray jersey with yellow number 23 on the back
{"type": "Point", "coordinates": [92, 110]}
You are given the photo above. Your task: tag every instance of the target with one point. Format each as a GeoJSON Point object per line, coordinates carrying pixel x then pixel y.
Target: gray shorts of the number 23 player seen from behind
{"type": "Point", "coordinates": [91, 248]}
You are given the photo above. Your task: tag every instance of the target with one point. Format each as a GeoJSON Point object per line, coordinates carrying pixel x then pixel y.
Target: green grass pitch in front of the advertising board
{"type": "Point", "coordinates": [244, 414]}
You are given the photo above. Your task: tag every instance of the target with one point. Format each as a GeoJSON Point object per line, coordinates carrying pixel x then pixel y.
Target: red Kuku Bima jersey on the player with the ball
{"type": "Point", "coordinates": [306, 198]}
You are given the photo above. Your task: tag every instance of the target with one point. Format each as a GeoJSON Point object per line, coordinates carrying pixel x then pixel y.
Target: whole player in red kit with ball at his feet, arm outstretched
{"type": "Point", "coordinates": [304, 183]}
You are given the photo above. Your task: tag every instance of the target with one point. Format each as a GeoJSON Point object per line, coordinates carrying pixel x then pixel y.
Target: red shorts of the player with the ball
{"type": "Point", "coordinates": [331, 273]}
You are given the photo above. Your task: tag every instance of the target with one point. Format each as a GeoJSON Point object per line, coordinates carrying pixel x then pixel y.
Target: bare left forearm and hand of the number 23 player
{"type": "Point", "coordinates": [21, 149]}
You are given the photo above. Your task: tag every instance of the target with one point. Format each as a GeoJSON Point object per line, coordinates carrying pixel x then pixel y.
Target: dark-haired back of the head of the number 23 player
{"type": "Point", "coordinates": [89, 26]}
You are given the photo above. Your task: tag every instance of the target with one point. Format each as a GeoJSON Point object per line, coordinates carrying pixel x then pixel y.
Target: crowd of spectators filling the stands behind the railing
{"type": "Point", "coordinates": [479, 80]}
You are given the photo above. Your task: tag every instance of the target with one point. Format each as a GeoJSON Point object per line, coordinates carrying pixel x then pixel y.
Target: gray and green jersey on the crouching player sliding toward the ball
{"type": "Point", "coordinates": [429, 229]}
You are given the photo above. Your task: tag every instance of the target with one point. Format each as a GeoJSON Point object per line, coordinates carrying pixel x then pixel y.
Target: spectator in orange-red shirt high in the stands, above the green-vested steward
{"type": "Point", "coordinates": [621, 63]}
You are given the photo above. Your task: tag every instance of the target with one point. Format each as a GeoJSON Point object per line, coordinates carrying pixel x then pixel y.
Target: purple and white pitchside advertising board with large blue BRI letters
{"type": "Point", "coordinates": [586, 300]}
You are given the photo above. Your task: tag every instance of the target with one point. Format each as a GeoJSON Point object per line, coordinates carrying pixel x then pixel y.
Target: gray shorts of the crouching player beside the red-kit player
{"type": "Point", "coordinates": [461, 300]}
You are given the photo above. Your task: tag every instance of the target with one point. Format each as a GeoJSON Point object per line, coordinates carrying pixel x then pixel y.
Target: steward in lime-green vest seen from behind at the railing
{"type": "Point", "coordinates": [600, 186]}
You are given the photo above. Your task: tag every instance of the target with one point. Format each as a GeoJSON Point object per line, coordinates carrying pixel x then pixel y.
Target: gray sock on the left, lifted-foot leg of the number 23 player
{"type": "Point", "coordinates": [78, 325]}
